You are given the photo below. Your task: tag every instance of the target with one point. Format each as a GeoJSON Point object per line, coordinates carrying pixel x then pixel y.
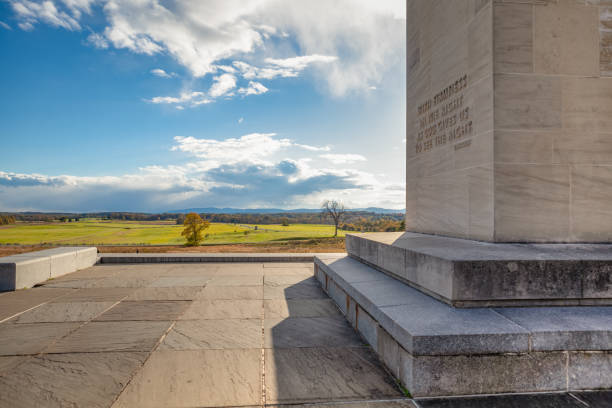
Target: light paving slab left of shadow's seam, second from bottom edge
{"type": "Point", "coordinates": [214, 334]}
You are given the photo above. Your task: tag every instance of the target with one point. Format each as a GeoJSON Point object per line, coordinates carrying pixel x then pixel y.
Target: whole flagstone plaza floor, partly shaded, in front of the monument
{"type": "Point", "coordinates": [196, 335]}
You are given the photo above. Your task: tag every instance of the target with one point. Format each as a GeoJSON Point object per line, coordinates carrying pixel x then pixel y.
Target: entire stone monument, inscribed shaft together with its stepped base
{"type": "Point", "coordinates": [502, 282]}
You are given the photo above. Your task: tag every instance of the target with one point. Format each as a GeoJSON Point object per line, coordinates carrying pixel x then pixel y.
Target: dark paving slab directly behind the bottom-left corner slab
{"type": "Point", "coordinates": [112, 336]}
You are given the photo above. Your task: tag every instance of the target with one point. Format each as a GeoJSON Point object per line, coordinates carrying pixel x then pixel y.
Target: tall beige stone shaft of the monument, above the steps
{"type": "Point", "coordinates": [509, 120]}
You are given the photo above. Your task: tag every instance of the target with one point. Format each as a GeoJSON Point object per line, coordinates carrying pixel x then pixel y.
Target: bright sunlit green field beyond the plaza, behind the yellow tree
{"type": "Point", "coordinates": [98, 232]}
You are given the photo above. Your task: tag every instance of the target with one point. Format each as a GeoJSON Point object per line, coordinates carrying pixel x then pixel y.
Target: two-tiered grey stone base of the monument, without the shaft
{"type": "Point", "coordinates": [398, 291]}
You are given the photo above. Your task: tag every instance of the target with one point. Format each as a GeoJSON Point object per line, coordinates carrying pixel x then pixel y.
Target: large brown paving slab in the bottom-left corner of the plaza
{"type": "Point", "coordinates": [69, 380]}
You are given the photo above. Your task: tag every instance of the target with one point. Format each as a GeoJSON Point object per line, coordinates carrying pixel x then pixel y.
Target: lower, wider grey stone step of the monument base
{"type": "Point", "coordinates": [436, 349]}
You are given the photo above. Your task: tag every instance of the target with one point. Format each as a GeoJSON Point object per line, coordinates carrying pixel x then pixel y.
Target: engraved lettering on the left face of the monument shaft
{"type": "Point", "coordinates": [444, 118]}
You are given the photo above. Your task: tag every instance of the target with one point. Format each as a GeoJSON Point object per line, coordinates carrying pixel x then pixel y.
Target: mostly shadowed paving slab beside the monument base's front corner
{"type": "Point", "coordinates": [298, 375]}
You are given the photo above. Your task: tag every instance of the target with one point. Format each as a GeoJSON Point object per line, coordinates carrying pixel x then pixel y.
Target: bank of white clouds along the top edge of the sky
{"type": "Point", "coordinates": [351, 44]}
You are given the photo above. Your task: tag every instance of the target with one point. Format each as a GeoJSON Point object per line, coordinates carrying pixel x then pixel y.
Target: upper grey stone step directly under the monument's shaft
{"type": "Point", "coordinates": [466, 273]}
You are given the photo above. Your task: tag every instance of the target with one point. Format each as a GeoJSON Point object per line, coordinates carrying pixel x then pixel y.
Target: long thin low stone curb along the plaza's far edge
{"type": "Point", "coordinates": [211, 257]}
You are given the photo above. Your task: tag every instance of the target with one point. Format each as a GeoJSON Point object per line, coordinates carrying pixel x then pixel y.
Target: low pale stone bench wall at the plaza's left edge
{"type": "Point", "coordinates": [26, 270]}
